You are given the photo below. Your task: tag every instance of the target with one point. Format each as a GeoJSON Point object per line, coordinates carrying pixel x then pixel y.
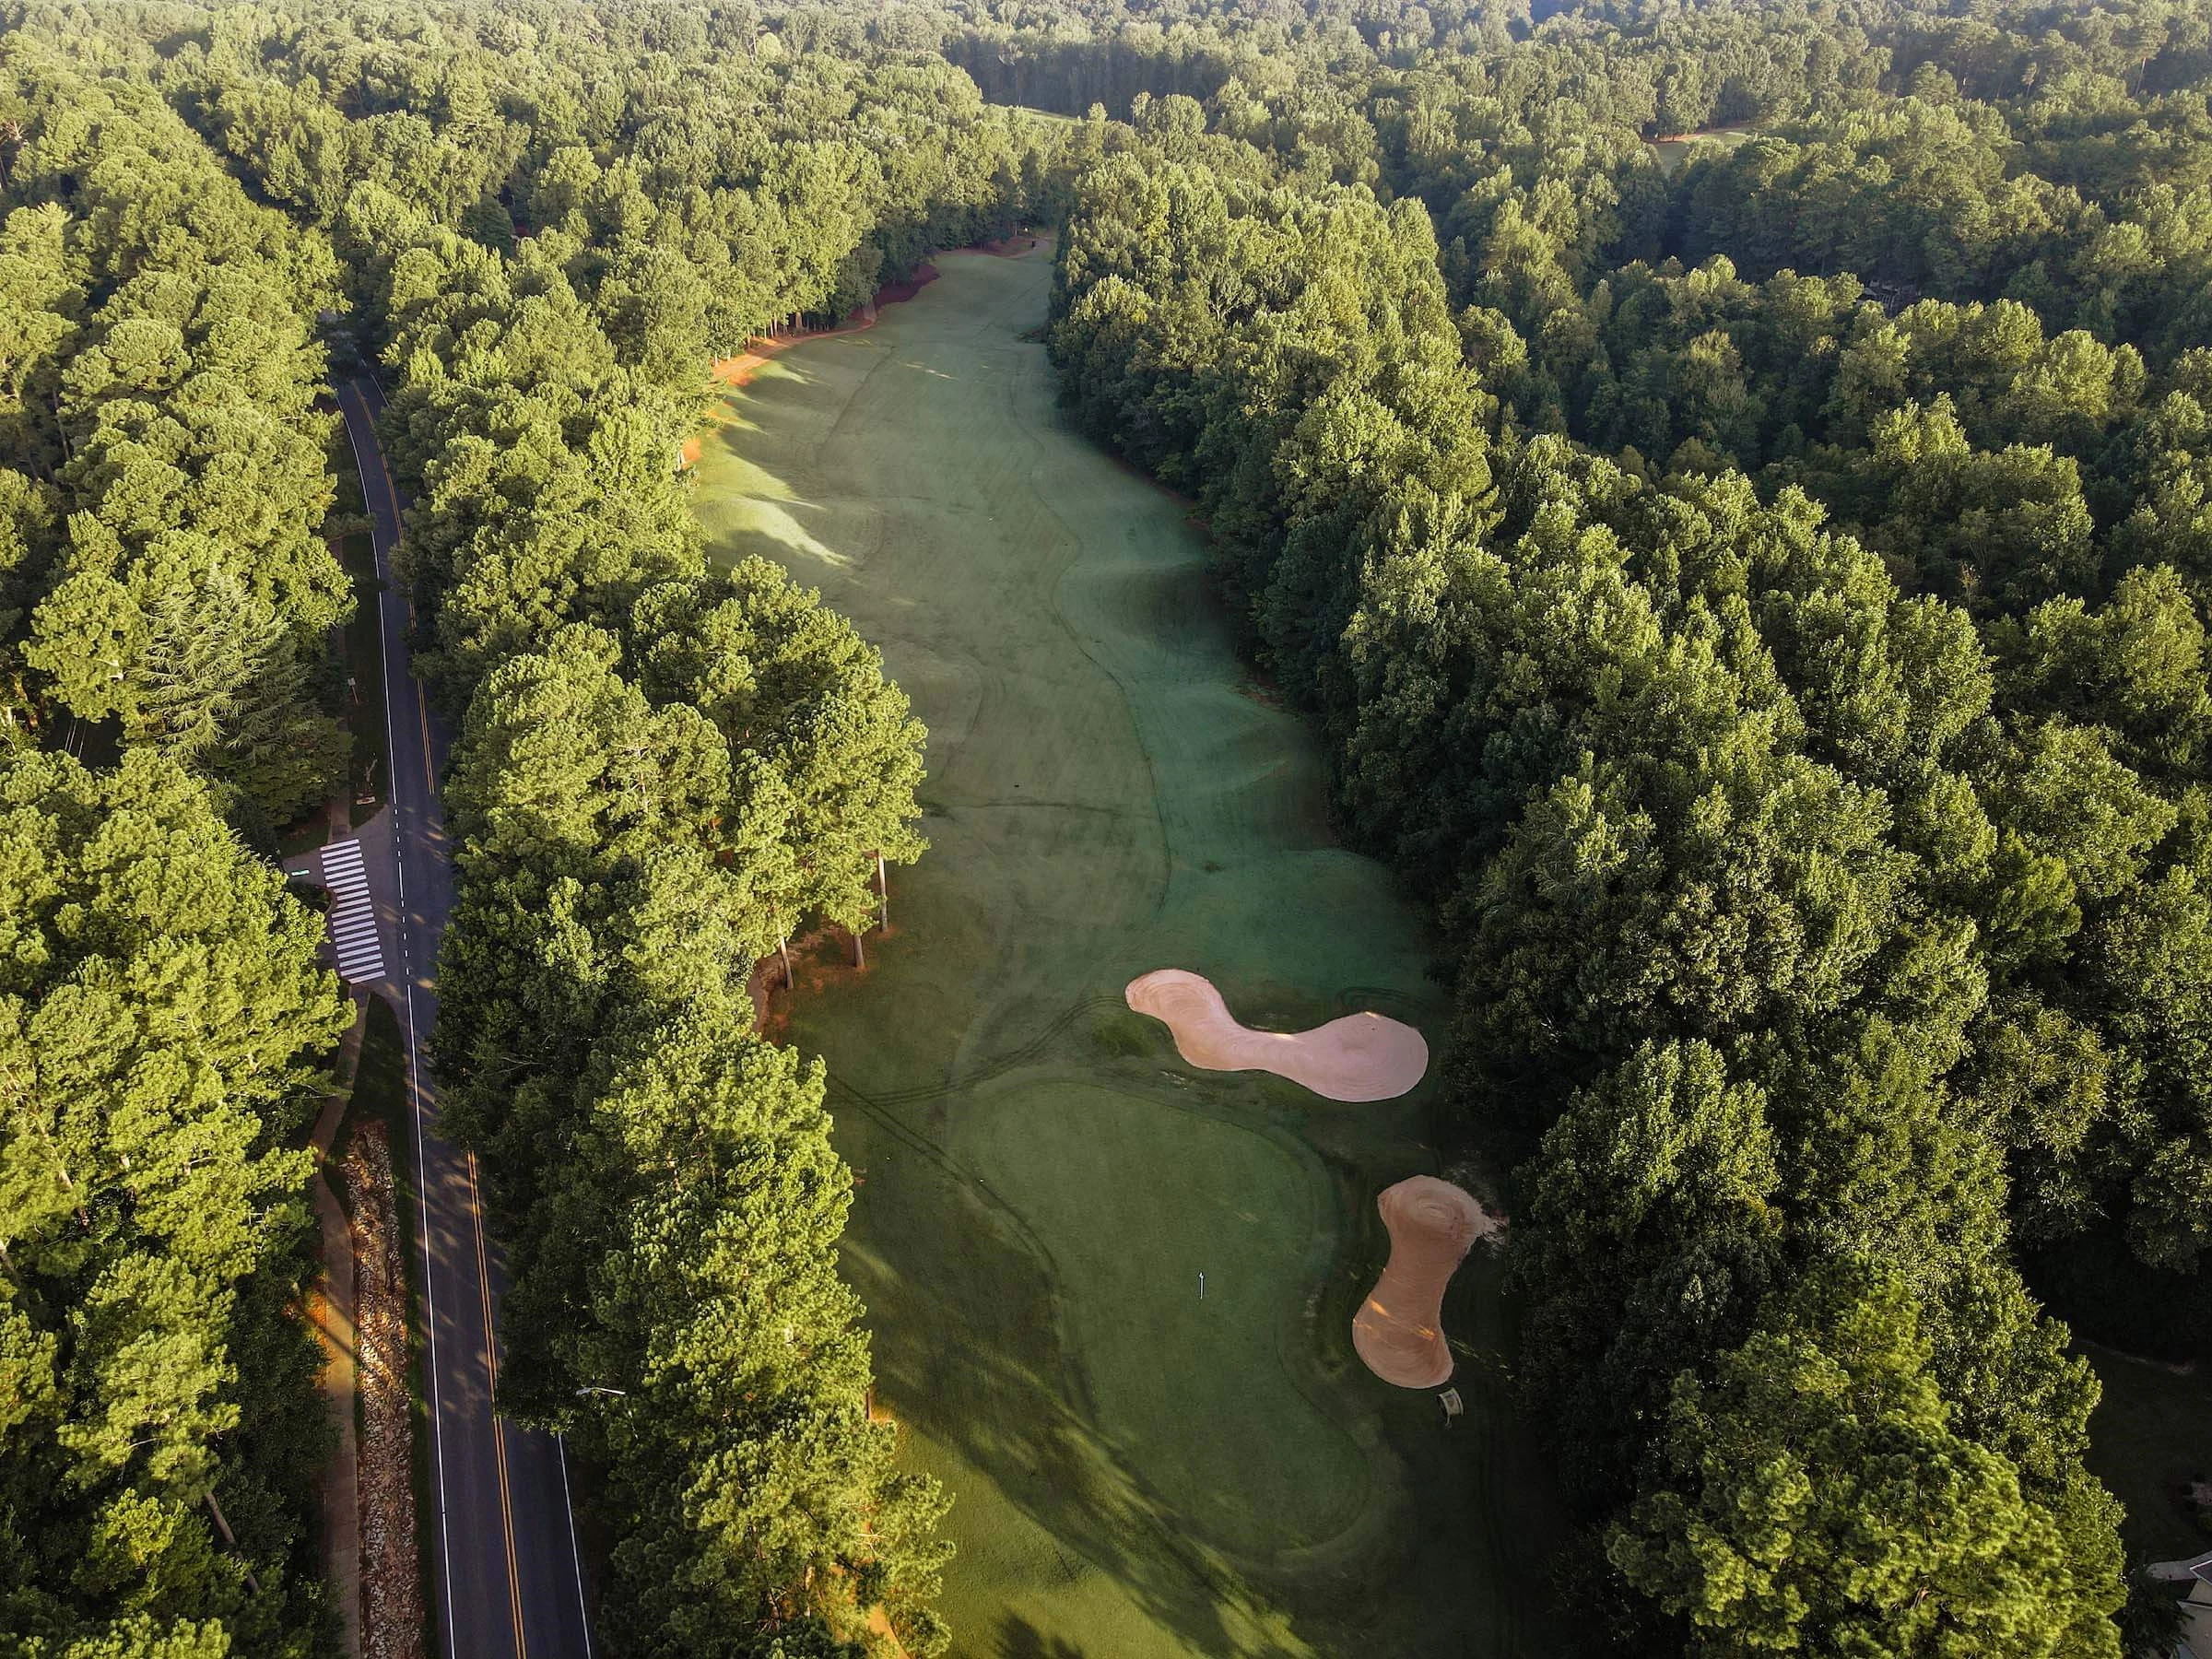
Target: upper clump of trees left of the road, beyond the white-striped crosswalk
{"type": "Point", "coordinates": [163, 570]}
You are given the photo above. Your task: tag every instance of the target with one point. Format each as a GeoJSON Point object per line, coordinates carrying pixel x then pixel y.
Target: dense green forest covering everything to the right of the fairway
{"type": "Point", "coordinates": [1764, 609]}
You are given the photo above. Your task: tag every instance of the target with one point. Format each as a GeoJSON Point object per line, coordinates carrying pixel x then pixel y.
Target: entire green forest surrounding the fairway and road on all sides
{"type": "Point", "coordinates": [1757, 603]}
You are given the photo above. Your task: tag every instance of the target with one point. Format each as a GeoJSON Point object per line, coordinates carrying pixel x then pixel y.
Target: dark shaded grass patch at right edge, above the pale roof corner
{"type": "Point", "coordinates": [2149, 1439]}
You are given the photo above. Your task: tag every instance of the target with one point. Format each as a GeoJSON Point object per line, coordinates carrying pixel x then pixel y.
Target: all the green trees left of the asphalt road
{"type": "Point", "coordinates": [165, 612]}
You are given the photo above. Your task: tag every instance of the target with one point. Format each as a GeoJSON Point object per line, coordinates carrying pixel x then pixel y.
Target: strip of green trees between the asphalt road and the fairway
{"type": "Point", "coordinates": [662, 773]}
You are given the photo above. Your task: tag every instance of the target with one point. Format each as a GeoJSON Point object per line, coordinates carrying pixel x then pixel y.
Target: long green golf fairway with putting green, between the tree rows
{"type": "Point", "coordinates": [1136, 1472]}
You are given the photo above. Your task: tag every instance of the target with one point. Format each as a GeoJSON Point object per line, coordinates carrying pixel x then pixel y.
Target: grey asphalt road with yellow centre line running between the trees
{"type": "Point", "coordinates": [505, 1565]}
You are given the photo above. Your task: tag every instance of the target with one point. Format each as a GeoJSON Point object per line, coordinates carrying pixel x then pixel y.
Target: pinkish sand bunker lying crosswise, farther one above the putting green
{"type": "Point", "coordinates": [1361, 1056]}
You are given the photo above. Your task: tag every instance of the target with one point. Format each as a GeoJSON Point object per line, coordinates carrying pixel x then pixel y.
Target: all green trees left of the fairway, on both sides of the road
{"type": "Point", "coordinates": [545, 222]}
